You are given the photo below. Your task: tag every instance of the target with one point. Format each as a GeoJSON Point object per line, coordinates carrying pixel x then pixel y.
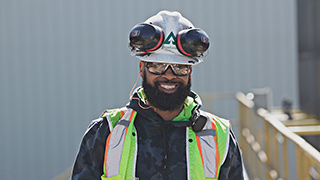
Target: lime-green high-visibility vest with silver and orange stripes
{"type": "Point", "coordinates": [206, 150]}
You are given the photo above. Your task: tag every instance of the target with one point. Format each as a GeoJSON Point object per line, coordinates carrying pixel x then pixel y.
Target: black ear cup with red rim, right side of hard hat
{"type": "Point", "coordinates": [192, 42]}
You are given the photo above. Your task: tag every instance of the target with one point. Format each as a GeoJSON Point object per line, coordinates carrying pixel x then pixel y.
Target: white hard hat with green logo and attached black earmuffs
{"type": "Point", "coordinates": [168, 37]}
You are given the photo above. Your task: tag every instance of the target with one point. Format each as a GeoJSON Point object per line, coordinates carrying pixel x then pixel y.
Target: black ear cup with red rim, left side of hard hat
{"type": "Point", "coordinates": [146, 37]}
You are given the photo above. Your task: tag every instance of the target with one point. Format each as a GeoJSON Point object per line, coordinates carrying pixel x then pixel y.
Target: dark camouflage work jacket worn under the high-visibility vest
{"type": "Point", "coordinates": [161, 150]}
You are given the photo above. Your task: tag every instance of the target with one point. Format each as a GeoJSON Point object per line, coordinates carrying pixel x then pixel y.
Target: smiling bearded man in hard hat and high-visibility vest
{"type": "Point", "coordinates": [161, 133]}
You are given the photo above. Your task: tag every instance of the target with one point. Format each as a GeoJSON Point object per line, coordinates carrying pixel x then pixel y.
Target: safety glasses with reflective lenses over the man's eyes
{"type": "Point", "coordinates": [161, 68]}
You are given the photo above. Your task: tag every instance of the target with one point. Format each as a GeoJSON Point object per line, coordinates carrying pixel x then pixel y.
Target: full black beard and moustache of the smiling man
{"type": "Point", "coordinates": [165, 101]}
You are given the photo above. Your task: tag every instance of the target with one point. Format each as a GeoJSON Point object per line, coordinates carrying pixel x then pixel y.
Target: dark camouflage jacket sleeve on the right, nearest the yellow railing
{"type": "Point", "coordinates": [232, 168]}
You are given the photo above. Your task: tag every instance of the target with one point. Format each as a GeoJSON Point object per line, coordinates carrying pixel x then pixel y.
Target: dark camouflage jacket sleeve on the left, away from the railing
{"type": "Point", "coordinates": [89, 161]}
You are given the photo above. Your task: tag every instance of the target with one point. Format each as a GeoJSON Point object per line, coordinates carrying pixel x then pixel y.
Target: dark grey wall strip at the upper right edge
{"type": "Point", "coordinates": [309, 56]}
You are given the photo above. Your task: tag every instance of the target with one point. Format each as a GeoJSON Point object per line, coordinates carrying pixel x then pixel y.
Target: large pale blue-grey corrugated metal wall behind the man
{"type": "Point", "coordinates": [62, 62]}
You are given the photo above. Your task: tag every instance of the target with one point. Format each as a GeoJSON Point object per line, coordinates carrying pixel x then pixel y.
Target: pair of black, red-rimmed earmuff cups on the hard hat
{"type": "Point", "coordinates": [148, 37]}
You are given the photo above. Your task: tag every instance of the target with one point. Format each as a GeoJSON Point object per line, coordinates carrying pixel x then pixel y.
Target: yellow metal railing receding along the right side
{"type": "Point", "coordinates": [273, 151]}
